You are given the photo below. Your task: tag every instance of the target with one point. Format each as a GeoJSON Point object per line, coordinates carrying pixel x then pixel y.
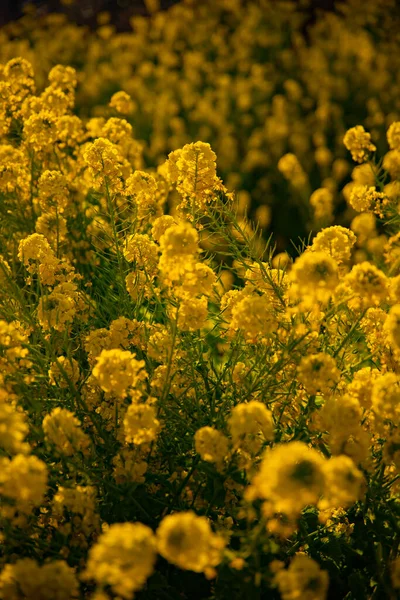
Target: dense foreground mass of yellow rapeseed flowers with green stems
{"type": "Point", "coordinates": [175, 394]}
